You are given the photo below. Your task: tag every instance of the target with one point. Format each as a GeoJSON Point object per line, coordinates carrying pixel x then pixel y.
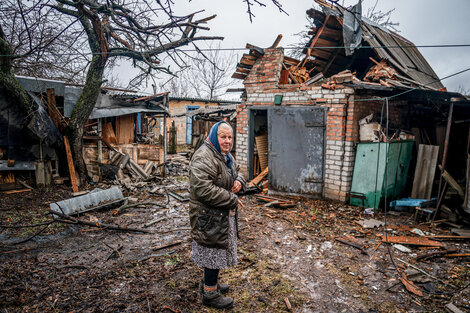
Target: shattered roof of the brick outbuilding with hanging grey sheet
{"type": "Point", "coordinates": [374, 54]}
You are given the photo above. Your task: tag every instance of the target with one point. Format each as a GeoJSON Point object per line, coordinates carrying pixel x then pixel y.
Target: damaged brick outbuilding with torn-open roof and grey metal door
{"type": "Point", "coordinates": [312, 122]}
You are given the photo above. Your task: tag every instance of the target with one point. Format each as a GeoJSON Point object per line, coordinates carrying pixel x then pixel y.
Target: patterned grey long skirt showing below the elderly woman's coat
{"type": "Point", "coordinates": [216, 258]}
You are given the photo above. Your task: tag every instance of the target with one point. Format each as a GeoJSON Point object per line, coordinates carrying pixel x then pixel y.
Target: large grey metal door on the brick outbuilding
{"type": "Point", "coordinates": [296, 150]}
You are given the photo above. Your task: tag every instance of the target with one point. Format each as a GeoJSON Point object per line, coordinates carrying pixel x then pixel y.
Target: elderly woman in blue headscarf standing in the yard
{"type": "Point", "coordinates": [214, 183]}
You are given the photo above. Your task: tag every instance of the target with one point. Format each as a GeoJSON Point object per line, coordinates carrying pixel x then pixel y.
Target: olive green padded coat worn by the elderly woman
{"type": "Point", "coordinates": [211, 197]}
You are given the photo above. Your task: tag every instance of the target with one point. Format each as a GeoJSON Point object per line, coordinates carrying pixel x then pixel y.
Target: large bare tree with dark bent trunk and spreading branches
{"type": "Point", "coordinates": [140, 30]}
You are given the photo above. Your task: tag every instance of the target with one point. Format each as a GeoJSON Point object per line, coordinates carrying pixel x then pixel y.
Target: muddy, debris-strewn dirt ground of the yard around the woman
{"type": "Point", "coordinates": [286, 257]}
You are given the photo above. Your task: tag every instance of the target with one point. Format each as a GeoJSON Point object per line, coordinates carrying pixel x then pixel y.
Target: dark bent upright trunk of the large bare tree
{"type": "Point", "coordinates": [82, 111]}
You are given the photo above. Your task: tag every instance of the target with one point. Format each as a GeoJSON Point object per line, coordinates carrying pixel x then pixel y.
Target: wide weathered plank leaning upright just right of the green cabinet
{"type": "Point", "coordinates": [425, 171]}
